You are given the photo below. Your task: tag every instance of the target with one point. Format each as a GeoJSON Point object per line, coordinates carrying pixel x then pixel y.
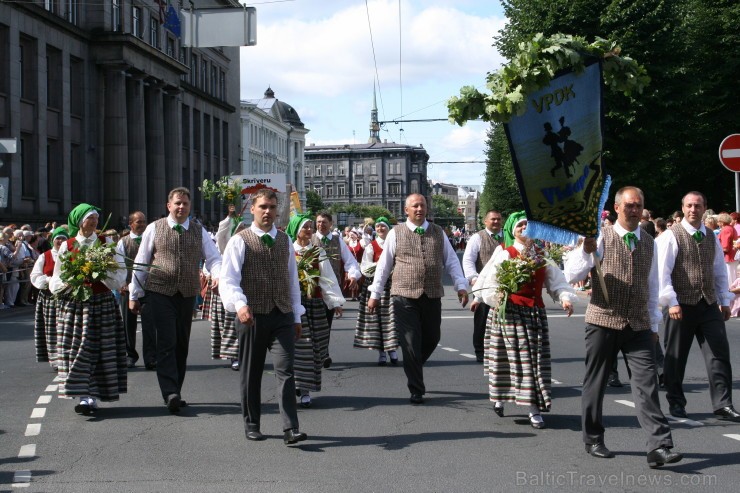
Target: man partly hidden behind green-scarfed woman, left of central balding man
{"type": "Point", "coordinates": [341, 260]}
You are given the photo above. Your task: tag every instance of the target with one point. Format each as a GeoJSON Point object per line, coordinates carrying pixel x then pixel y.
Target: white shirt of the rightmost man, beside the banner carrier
{"type": "Point", "coordinates": [667, 253]}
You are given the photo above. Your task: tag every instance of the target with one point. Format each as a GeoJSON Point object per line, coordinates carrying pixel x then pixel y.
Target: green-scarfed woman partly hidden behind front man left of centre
{"type": "Point", "coordinates": [312, 347]}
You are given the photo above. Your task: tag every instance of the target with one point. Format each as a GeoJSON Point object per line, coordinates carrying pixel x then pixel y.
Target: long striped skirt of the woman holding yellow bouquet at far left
{"type": "Point", "coordinates": [92, 348]}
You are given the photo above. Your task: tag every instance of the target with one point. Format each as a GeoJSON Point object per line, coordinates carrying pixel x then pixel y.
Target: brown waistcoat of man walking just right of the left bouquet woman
{"type": "Point", "coordinates": [176, 258]}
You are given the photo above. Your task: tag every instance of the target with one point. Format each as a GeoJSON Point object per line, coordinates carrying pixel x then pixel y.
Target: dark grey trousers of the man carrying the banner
{"type": "Point", "coordinates": [602, 346]}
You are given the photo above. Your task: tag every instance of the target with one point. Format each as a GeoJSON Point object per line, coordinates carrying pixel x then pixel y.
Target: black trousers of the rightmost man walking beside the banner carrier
{"type": "Point", "coordinates": [706, 323]}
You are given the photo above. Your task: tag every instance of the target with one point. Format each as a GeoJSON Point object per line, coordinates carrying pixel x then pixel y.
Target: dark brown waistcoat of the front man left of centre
{"type": "Point", "coordinates": [265, 277]}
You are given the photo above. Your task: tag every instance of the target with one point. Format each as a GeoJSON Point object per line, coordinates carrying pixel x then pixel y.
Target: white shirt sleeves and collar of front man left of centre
{"type": "Point", "coordinates": [232, 295]}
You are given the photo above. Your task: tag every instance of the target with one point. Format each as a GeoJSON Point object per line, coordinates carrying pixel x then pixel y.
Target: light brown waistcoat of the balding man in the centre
{"type": "Point", "coordinates": [418, 263]}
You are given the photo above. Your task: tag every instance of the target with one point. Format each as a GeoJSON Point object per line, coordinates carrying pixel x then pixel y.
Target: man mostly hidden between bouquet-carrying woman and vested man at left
{"type": "Point", "coordinates": [128, 247]}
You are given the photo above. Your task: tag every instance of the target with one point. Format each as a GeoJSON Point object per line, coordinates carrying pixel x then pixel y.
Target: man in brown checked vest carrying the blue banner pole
{"type": "Point", "coordinates": [626, 318]}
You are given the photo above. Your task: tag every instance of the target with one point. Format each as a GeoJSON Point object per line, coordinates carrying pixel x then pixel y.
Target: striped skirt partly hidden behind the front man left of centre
{"type": "Point", "coordinates": [312, 348]}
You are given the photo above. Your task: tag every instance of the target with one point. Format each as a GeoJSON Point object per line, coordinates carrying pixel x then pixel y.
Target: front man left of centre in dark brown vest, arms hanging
{"type": "Point", "coordinates": [259, 281]}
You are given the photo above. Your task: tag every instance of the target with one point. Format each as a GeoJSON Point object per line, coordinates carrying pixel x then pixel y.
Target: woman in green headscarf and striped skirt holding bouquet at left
{"type": "Point", "coordinates": [91, 342]}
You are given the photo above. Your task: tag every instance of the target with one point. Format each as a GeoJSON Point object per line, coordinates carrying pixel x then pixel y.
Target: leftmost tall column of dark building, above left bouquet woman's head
{"type": "Point", "coordinates": [115, 140]}
